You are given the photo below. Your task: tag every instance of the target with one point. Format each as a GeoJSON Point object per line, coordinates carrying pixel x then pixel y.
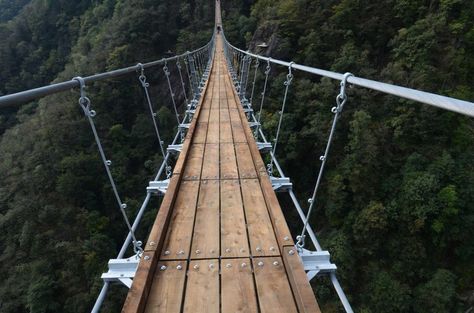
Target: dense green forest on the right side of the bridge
{"type": "Point", "coordinates": [395, 209]}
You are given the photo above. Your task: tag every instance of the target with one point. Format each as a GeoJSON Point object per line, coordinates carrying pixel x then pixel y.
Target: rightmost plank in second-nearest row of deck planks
{"type": "Point", "coordinates": [261, 235]}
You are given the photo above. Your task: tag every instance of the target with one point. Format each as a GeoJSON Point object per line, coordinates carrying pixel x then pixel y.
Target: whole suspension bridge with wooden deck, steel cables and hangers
{"type": "Point", "coordinates": [220, 242]}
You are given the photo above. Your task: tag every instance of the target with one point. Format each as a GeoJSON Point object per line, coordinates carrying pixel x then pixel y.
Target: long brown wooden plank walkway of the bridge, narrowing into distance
{"type": "Point", "coordinates": [220, 242]}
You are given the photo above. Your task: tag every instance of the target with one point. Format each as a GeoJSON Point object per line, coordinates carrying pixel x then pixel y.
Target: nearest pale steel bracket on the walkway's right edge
{"type": "Point", "coordinates": [316, 263]}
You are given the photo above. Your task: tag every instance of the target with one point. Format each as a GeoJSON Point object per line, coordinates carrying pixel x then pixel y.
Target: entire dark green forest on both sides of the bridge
{"type": "Point", "coordinates": [395, 208]}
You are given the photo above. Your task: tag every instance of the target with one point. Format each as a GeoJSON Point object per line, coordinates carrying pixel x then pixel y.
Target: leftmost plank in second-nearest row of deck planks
{"type": "Point", "coordinates": [178, 239]}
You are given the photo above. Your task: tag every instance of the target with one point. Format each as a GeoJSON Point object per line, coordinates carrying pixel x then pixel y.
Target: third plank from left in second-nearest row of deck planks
{"type": "Point", "coordinates": [234, 242]}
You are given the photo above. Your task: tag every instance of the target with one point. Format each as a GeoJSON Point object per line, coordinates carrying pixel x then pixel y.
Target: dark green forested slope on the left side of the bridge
{"type": "Point", "coordinates": [59, 223]}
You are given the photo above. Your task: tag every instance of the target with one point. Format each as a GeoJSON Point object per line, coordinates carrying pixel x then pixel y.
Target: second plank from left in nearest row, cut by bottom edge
{"type": "Point", "coordinates": [202, 288]}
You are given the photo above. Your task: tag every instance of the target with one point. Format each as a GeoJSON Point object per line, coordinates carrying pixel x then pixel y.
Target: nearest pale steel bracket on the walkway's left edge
{"type": "Point", "coordinates": [122, 270]}
